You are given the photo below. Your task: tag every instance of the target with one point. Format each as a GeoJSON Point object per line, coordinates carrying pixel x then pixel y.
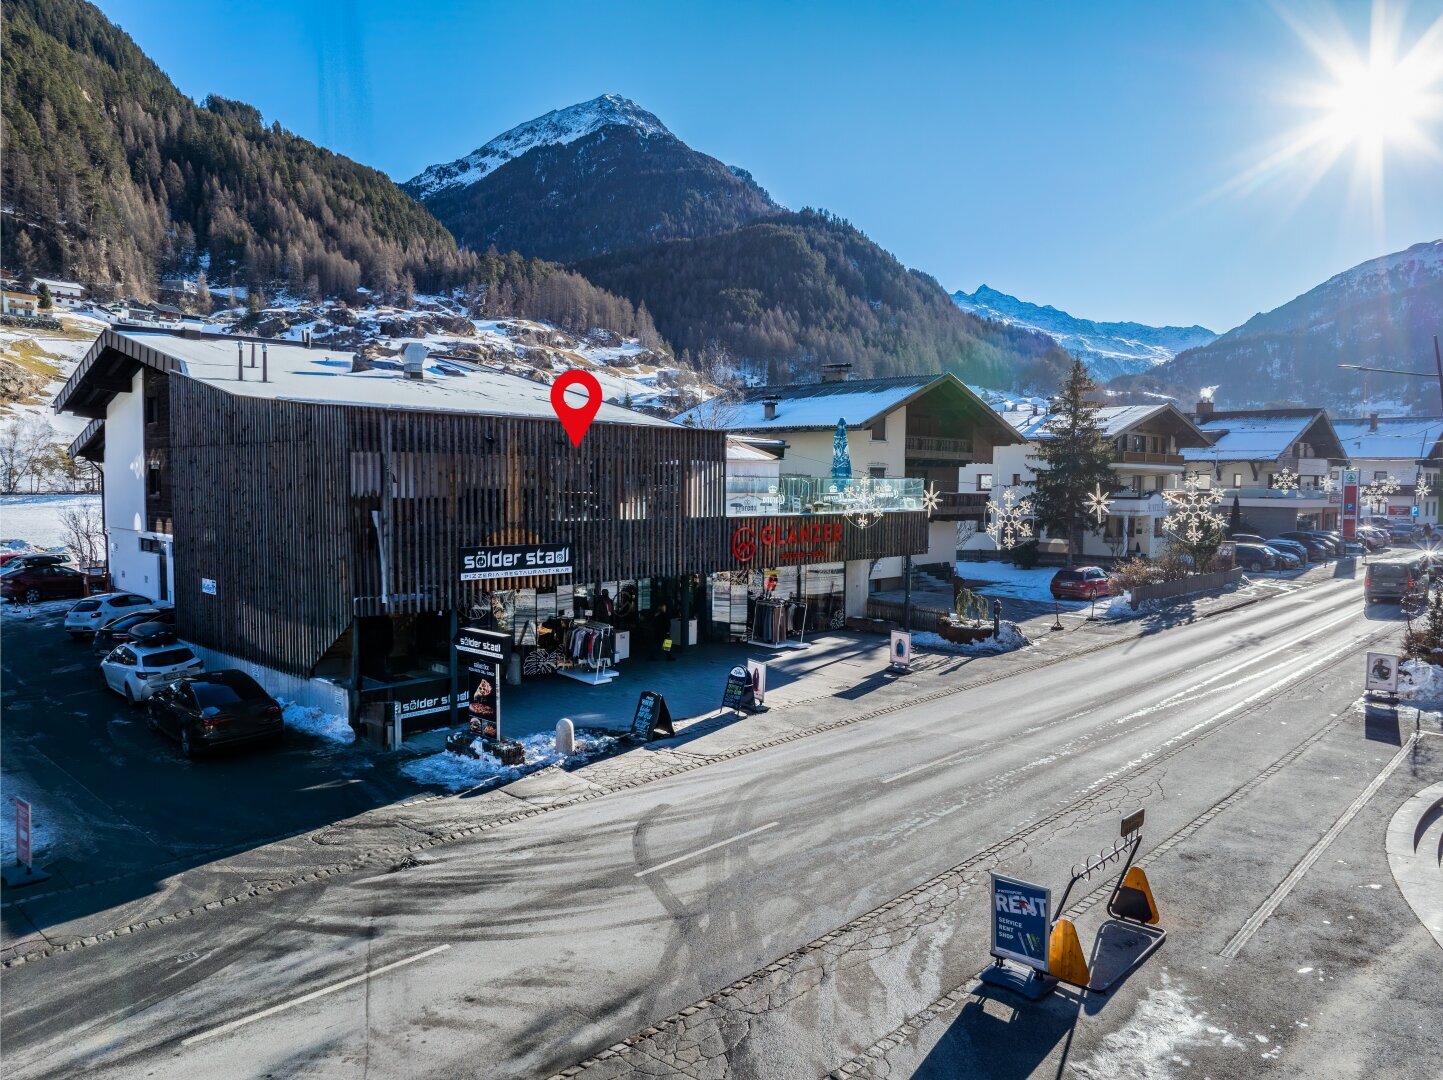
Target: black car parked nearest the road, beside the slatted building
{"type": "Point", "coordinates": [216, 710]}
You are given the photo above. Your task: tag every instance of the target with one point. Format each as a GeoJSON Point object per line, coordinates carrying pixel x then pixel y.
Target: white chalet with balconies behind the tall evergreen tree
{"type": "Point", "coordinates": [1148, 460]}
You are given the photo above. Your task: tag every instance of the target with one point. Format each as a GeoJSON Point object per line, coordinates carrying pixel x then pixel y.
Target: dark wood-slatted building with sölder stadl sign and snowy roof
{"type": "Point", "coordinates": [330, 522]}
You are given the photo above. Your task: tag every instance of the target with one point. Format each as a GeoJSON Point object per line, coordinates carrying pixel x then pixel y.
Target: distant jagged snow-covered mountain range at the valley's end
{"type": "Point", "coordinates": [1108, 349]}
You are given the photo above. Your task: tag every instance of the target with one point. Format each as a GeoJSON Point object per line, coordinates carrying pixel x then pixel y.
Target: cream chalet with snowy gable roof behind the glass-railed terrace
{"type": "Point", "coordinates": [905, 435]}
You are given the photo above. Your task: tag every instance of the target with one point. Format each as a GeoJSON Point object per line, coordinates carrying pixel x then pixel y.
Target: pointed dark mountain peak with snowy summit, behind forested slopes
{"type": "Point", "coordinates": [585, 181]}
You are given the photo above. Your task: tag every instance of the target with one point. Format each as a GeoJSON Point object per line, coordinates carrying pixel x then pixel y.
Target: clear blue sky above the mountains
{"type": "Point", "coordinates": [1077, 155]}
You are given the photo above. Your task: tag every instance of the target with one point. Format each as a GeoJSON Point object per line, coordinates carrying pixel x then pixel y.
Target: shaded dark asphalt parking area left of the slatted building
{"type": "Point", "coordinates": [113, 798]}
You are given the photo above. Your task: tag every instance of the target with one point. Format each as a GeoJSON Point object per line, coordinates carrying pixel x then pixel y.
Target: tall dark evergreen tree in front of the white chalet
{"type": "Point", "coordinates": [1071, 463]}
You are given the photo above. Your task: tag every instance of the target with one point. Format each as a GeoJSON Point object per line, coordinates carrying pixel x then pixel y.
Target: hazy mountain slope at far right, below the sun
{"type": "Point", "coordinates": [1383, 313]}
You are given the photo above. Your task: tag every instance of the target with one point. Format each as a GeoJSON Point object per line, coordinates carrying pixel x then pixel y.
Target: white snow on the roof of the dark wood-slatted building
{"type": "Point", "coordinates": [325, 378]}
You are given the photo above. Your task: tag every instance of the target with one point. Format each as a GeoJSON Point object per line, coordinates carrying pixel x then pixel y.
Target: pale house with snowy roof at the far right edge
{"type": "Point", "coordinates": [1403, 448]}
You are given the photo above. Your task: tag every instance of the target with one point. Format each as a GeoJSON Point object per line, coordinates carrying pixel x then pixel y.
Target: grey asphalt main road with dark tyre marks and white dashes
{"type": "Point", "coordinates": [532, 948]}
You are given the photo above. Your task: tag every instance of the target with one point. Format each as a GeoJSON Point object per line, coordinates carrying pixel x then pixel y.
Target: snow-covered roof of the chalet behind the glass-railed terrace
{"type": "Point", "coordinates": [815, 405]}
